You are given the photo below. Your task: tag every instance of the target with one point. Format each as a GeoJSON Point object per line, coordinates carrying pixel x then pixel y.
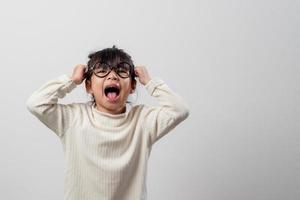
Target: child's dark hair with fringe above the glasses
{"type": "Point", "coordinates": [111, 56]}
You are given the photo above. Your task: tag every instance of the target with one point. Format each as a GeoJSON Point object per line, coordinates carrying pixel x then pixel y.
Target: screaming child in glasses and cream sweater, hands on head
{"type": "Point", "coordinates": [107, 146]}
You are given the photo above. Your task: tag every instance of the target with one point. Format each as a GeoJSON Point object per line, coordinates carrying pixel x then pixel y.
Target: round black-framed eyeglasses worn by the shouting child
{"type": "Point", "coordinates": [123, 69]}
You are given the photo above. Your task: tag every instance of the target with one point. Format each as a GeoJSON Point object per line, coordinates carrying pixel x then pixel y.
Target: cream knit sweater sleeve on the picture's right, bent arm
{"type": "Point", "coordinates": [172, 109]}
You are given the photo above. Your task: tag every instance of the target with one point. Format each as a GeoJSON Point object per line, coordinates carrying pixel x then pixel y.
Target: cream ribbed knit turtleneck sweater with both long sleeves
{"type": "Point", "coordinates": [106, 155]}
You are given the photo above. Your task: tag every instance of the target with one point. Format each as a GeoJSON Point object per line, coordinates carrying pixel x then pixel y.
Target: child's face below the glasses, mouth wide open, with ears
{"type": "Point", "coordinates": [110, 92]}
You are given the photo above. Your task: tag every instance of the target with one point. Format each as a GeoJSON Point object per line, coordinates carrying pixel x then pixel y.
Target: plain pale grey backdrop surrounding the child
{"type": "Point", "coordinates": [235, 62]}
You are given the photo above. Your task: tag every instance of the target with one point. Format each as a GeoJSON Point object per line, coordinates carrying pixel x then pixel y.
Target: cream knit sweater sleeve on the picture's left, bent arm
{"type": "Point", "coordinates": [43, 104]}
